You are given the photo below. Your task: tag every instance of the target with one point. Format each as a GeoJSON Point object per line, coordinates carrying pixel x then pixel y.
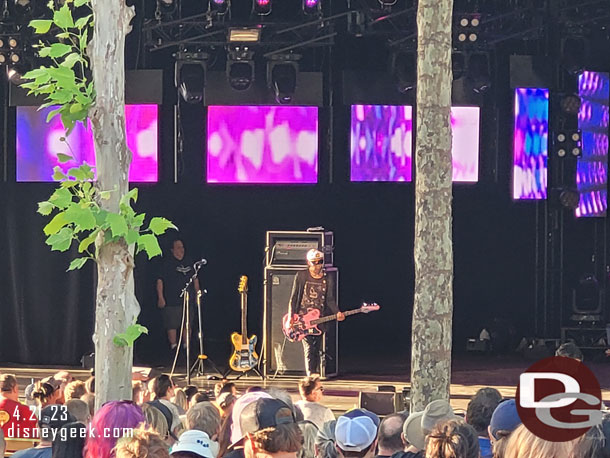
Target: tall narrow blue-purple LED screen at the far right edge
{"type": "Point", "coordinates": [592, 168]}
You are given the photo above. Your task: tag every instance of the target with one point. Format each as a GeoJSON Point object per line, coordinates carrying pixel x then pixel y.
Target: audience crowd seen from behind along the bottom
{"type": "Point", "coordinates": [162, 421]}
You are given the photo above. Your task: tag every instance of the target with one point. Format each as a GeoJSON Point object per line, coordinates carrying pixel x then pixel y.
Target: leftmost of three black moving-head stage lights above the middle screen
{"type": "Point", "coordinates": [190, 75]}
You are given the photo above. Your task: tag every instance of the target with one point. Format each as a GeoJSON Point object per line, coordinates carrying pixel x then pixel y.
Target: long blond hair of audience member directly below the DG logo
{"type": "Point", "coordinates": [524, 444]}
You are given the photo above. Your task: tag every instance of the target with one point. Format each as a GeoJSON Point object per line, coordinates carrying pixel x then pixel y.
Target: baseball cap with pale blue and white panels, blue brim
{"type": "Point", "coordinates": [356, 430]}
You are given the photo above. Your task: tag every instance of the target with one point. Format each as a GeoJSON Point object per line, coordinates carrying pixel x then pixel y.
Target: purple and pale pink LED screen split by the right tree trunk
{"type": "Point", "coordinates": [382, 143]}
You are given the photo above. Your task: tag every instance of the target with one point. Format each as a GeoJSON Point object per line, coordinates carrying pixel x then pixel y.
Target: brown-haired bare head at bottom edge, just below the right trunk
{"type": "Point", "coordinates": [452, 439]}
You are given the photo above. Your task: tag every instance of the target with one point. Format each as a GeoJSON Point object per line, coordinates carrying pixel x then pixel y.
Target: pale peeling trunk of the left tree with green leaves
{"type": "Point", "coordinates": [116, 304]}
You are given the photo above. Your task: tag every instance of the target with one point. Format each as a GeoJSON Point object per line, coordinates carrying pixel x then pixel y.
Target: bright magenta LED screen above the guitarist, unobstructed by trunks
{"type": "Point", "coordinates": [262, 144]}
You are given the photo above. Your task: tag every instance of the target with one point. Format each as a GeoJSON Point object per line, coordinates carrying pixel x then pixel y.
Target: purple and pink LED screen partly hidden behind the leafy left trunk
{"type": "Point", "coordinates": [38, 143]}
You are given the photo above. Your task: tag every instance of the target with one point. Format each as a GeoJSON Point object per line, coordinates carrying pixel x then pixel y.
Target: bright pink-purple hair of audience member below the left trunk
{"type": "Point", "coordinates": [108, 426]}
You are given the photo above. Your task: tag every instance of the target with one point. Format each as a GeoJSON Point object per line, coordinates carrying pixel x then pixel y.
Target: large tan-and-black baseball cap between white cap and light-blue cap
{"type": "Point", "coordinates": [265, 413]}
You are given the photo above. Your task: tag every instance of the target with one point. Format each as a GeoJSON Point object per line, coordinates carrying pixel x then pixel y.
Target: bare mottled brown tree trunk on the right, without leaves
{"type": "Point", "coordinates": [433, 304]}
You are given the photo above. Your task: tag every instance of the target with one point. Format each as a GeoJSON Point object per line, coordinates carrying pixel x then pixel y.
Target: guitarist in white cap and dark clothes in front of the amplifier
{"type": "Point", "coordinates": [312, 288]}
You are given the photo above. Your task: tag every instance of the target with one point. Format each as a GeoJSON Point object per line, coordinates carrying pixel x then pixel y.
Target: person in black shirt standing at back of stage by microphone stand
{"type": "Point", "coordinates": [175, 272]}
